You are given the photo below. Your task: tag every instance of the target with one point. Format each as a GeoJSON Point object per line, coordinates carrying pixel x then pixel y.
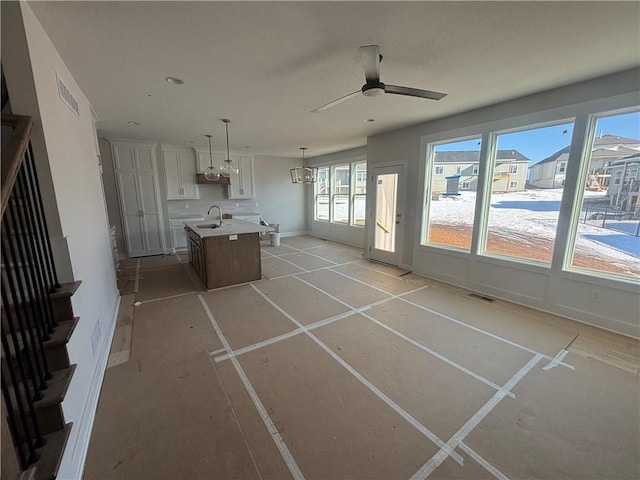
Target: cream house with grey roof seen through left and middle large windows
{"type": "Point", "coordinates": [510, 171]}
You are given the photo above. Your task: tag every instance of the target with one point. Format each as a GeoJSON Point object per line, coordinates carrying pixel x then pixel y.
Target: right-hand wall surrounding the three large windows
{"type": "Point", "coordinates": [551, 289]}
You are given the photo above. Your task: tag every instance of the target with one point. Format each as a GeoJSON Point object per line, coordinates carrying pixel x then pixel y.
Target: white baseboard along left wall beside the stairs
{"type": "Point", "coordinates": [73, 460]}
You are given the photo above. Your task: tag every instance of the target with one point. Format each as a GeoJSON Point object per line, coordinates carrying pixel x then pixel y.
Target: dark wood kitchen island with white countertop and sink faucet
{"type": "Point", "coordinates": [225, 255]}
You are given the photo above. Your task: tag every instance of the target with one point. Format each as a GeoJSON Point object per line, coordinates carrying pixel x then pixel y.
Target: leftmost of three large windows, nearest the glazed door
{"type": "Point", "coordinates": [452, 198]}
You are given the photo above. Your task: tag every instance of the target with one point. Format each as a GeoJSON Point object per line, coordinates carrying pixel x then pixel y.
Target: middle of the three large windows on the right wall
{"type": "Point", "coordinates": [522, 218]}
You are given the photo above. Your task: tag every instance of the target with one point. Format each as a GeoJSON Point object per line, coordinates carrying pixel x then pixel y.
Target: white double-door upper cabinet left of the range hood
{"type": "Point", "coordinates": [180, 173]}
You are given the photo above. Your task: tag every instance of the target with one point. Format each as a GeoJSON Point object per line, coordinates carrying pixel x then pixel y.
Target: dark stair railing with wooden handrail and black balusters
{"type": "Point", "coordinates": [28, 277]}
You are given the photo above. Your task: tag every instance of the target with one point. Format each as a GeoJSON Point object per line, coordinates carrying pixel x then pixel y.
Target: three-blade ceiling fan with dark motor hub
{"type": "Point", "coordinates": [371, 58]}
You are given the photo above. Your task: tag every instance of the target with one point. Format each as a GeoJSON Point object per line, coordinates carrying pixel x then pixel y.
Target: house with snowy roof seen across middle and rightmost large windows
{"type": "Point", "coordinates": [551, 172]}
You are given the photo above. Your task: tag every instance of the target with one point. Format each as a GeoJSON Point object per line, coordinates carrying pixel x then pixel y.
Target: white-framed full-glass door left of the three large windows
{"type": "Point", "coordinates": [385, 236]}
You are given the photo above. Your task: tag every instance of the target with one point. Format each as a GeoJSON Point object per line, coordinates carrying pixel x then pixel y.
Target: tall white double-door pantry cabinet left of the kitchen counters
{"type": "Point", "coordinates": [137, 178]}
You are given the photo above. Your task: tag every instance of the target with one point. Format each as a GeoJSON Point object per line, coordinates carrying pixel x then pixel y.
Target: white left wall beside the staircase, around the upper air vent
{"type": "Point", "coordinates": [69, 144]}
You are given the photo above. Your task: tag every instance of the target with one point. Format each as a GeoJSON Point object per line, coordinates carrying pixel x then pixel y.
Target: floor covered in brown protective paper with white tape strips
{"type": "Point", "coordinates": [332, 367]}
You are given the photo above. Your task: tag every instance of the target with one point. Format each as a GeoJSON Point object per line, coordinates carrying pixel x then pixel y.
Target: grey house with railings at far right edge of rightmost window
{"type": "Point", "coordinates": [624, 189]}
